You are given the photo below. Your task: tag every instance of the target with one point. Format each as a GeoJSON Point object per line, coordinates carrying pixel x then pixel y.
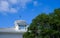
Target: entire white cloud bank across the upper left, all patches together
{"type": "Point", "coordinates": [5, 5]}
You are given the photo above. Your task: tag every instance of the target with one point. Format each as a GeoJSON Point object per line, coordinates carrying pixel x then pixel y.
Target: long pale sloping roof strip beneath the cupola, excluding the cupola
{"type": "Point", "coordinates": [11, 30]}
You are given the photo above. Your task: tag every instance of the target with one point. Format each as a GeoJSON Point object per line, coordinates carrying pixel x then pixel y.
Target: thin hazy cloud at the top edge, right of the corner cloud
{"type": "Point", "coordinates": [21, 3]}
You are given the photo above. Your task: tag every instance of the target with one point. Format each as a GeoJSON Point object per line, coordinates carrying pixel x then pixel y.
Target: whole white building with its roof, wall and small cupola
{"type": "Point", "coordinates": [14, 32]}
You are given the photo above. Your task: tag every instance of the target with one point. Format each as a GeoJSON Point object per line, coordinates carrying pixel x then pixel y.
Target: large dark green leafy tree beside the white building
{"type": "Point", "coordinates": [45, 26]}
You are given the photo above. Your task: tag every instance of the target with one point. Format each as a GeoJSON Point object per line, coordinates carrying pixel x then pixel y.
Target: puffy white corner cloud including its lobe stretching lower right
{"type": "Point", "coordinates": [5, 7]}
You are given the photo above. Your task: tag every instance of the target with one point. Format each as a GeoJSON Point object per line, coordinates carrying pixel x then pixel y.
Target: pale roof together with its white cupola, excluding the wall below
{"type": "Point", "coordinates": [15, 29]}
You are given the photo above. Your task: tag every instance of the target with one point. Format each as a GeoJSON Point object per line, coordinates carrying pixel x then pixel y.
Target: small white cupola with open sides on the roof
{"type": "Point", "coordinates": [20, 25]}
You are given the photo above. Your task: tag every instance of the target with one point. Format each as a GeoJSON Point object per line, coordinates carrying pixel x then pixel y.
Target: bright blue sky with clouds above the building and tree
{"type": "Point", "coordinates": [11, 10]}
